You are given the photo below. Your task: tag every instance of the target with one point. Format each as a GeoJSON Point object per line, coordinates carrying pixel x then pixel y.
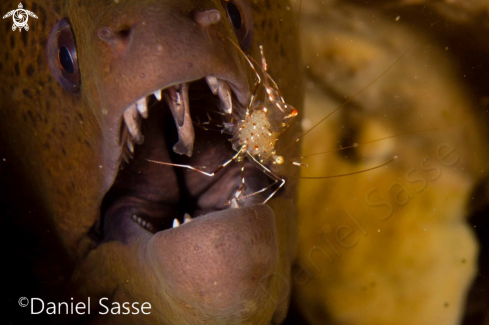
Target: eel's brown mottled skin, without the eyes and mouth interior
{"type": "Point", "coordinates": [68, 151]}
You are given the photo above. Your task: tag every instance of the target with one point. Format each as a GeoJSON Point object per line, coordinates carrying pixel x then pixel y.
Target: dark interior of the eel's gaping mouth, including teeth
{"type": "Point", "coordinates": [158, 197]}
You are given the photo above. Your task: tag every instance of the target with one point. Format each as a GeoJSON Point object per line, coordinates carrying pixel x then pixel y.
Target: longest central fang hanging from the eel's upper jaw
{"type": "Point", "coordinates": [178, 102]}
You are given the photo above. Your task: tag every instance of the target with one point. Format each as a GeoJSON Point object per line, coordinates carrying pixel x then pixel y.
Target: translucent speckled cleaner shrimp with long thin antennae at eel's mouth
{"type": "Point", "coordinates": [255, 136]}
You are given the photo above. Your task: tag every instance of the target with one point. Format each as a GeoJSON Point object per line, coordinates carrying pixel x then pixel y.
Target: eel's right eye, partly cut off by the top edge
{"type": "Point", "coordinates": [240, 15]}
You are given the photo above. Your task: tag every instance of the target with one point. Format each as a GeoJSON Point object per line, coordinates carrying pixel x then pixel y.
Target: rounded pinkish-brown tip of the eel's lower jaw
{"type": "Point", "coordinates": [223, 262]}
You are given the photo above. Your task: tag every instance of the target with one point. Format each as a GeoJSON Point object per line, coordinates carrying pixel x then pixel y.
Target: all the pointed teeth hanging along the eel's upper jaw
{"type": "Point", "coordinates": [177, 98]}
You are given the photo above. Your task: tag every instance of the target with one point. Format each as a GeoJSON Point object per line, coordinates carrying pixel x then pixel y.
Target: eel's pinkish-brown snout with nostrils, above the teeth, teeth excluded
{"type": "Point", "coordinates": [159, 46]}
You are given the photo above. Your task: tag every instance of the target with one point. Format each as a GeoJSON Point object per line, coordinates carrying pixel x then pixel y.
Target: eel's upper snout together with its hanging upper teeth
{"type": "Point", "coordinates": [160, 49]}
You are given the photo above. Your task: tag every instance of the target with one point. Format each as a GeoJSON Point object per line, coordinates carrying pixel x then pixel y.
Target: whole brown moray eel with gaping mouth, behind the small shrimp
{"type": "Point", "coordinates": [80, 116]}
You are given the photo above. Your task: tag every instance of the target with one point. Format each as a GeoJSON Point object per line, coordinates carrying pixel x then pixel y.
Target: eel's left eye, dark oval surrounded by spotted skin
{"type": "Point", "coordinates": [62, 56]}
